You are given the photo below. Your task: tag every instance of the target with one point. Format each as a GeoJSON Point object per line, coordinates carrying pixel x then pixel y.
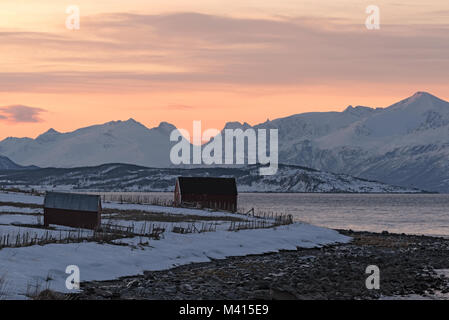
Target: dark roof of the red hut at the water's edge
{"type": "Point", "coordinates": [207, 185]}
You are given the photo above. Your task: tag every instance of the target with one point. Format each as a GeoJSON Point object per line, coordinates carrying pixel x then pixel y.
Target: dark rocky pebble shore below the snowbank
{"type": "Point", "coordinates": [409, 265]}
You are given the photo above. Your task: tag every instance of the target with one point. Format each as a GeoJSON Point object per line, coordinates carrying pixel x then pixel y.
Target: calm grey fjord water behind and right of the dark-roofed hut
{"type": "Point", "coordinates": [416, 214]}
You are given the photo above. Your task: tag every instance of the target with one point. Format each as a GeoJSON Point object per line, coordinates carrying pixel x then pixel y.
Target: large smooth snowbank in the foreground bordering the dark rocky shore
{"type": "Point", "coordinates": [105, 261]}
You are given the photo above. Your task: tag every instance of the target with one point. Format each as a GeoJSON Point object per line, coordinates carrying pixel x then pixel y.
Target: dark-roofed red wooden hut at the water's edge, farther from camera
{"type": "Point", "coordinates": [206, 192]}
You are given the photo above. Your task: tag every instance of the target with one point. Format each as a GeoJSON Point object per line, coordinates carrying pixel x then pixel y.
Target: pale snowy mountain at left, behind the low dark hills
{"type": "Point", "coordinates": [116, 141]}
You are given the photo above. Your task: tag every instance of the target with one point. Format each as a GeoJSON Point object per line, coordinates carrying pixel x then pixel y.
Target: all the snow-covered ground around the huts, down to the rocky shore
{"type": "Point", "coordinates": [27, 266]}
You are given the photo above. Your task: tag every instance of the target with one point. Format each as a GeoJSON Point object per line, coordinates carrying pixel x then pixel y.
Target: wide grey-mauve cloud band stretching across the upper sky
{"type": "Point", "coordinates": [120, 50]}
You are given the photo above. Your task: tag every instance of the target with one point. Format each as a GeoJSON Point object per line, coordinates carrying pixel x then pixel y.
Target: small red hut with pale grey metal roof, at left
{"type": "Point", "coordinates": [72, 210]}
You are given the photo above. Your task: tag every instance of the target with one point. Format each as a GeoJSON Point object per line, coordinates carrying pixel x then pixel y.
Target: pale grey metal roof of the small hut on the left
{"type": "Point", "coordinates": [72, 201]}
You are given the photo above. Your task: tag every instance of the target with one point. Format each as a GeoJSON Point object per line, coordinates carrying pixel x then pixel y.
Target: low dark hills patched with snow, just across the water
{"type": "Point", "coordinates": [123, 177]}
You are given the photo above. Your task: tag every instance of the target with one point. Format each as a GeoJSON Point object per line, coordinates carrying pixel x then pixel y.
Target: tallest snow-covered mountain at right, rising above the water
{"type": "Point", "coordinates": [405, 144]}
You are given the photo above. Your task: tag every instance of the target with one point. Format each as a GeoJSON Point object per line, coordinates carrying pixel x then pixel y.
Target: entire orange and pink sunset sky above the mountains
{"type": "Point", "coordinates": [210, 60]}
